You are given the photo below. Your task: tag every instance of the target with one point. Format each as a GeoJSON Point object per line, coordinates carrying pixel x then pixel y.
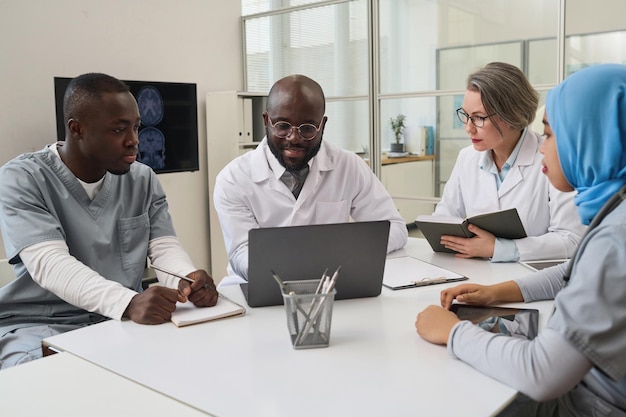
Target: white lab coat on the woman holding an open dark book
{"type": "Point", "coordinates": [548, 215]}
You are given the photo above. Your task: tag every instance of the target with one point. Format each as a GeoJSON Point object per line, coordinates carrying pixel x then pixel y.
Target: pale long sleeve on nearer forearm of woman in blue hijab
{"type": "Point", "coordinates": [544, 368]}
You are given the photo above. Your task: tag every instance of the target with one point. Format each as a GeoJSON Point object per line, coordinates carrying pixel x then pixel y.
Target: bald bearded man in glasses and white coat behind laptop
{"type": "Point", "coordinates": [295, 178]}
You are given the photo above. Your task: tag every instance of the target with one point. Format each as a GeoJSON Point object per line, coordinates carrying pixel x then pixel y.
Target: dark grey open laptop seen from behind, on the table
{"type": "Point", "coordinates": [304, 252]}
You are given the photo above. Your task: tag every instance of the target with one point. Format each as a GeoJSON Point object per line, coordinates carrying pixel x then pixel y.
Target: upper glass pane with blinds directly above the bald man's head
{"type": "Point", "coordinates": [327, 43]}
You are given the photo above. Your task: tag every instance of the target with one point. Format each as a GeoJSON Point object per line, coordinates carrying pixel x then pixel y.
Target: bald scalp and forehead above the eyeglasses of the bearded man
{"type": "Point", "coordinates": [298, 91]}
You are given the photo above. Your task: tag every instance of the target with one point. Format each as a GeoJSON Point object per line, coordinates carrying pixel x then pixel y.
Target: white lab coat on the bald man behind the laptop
{"type": "Point", "coordinates": [249, 194]}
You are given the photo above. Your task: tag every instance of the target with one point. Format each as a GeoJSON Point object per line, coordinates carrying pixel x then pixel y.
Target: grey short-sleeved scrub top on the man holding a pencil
{"type": "Point", "coordinates": [41, 200]}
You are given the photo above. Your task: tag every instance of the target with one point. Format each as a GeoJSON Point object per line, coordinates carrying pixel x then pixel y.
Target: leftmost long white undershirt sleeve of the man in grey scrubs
{"type": "Point", "coordinates": [51, 266]}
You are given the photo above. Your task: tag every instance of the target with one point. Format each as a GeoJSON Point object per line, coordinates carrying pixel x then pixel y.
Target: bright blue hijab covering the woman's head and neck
{"type": "Point", "coordinates": [587, 113]}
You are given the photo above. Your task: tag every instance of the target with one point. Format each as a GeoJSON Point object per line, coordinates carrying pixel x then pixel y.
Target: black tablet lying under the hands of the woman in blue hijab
{"type": "Point", "coordinates": [516, 322]}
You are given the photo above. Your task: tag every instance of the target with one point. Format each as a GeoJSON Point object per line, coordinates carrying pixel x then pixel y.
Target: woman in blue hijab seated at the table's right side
{"type": "Point", "coordinates": [577, 364]}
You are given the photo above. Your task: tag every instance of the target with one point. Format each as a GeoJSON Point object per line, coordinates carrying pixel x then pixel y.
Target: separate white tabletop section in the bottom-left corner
{"type": "Point", "coordinates": [65, 385]}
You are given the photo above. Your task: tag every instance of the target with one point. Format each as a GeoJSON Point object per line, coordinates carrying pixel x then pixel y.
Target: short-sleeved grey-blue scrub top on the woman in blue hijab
{"type": "Point", "coordinates": [591, 310]}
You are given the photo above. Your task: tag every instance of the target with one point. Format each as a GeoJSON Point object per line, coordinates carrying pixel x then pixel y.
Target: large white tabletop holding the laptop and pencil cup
{"type": "Point", "coordinates": [375, 365]}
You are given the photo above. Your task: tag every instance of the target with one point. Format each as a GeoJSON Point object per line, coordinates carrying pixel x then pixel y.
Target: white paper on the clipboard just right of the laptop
{"type": "Point", "coordinates": [409, 272]}
